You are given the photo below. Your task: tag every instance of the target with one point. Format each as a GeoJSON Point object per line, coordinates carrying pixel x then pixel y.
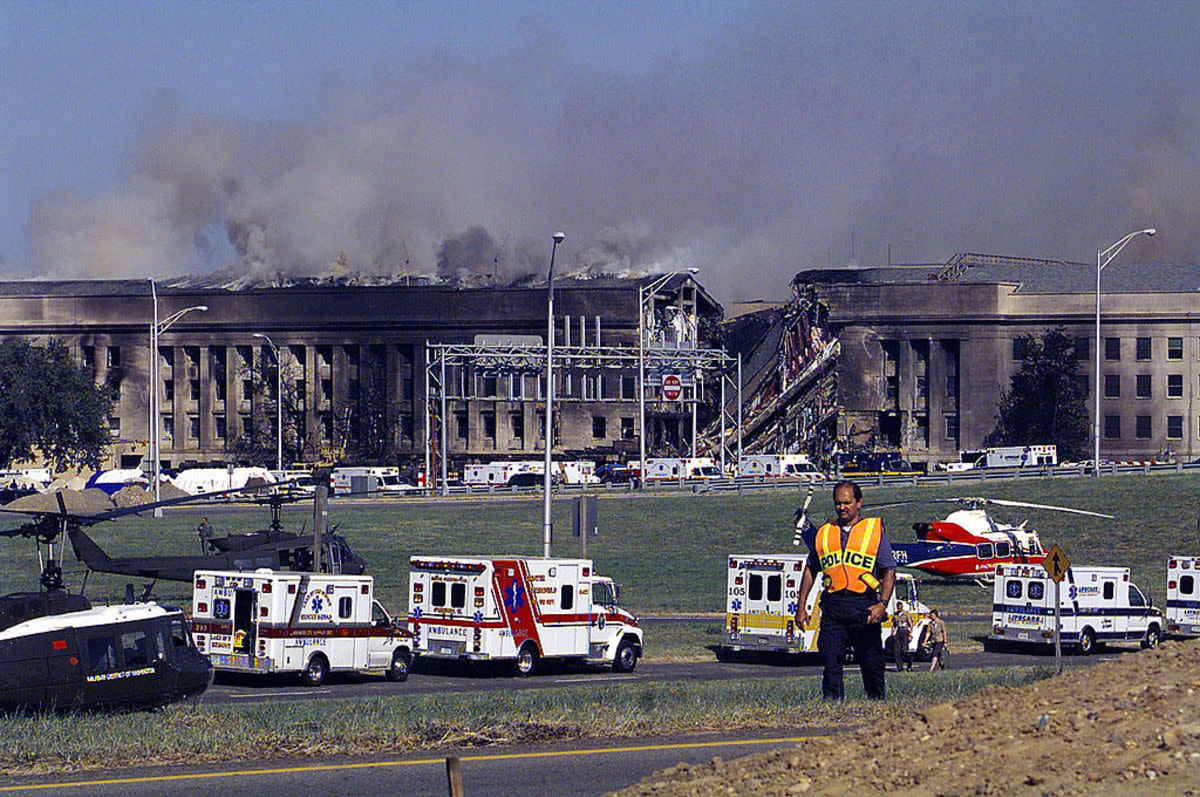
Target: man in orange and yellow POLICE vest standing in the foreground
{"type": "Point", "coordinates": [854, 558]}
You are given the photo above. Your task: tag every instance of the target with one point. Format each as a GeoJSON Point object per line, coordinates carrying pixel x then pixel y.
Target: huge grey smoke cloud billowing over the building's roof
{"type": "Point", "coordinates": [1041, 130]}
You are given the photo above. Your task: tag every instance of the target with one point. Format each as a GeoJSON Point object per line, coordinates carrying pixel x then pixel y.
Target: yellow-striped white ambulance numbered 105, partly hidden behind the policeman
{"type": "Point", "coordinates": [760, 608]}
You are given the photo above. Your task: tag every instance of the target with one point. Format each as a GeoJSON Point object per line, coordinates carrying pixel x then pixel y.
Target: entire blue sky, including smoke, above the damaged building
{"type": "Point", "coordinates": [751, 139]}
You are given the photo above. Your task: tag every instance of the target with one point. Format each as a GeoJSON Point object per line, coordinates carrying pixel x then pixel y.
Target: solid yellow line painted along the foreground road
{"type": "Point", "coordinates": [369, 765]}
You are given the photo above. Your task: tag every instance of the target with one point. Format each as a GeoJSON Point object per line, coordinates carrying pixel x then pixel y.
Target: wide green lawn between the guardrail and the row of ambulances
{"type": "Point", "coordinates": [668, 550]}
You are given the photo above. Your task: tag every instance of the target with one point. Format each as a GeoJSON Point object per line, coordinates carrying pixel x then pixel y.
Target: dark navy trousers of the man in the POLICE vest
{"type": "Point", "coordinates": [844, 625]}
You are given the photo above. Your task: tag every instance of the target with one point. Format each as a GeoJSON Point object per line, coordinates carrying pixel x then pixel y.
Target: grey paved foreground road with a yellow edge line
{"type": "Point", "coordinates": [592, 768]}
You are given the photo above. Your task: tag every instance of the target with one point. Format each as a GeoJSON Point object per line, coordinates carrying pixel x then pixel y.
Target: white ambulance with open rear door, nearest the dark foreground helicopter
{"type": "Point", "coordinates": [308, 624]}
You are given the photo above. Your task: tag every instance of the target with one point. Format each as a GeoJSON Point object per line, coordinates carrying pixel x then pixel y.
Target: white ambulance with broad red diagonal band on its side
{"type": "Point", "coordinates": [519, 610]}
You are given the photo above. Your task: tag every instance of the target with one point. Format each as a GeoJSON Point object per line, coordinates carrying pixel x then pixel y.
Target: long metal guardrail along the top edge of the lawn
{"type": "Point", "coordinates": [775, 483]}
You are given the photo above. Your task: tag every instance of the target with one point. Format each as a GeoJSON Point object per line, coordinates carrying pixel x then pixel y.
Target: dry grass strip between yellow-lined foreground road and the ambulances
{"type": "Point", "coordinates": [363, 727]}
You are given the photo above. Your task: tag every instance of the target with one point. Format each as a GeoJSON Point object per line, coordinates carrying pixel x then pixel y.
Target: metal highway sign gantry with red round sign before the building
{"type": "Point", "coordinates": [527, 356]}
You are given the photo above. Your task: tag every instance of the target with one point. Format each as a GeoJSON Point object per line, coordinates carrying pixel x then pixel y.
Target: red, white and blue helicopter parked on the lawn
{"type": "Point", "coordinates": [969, 543]}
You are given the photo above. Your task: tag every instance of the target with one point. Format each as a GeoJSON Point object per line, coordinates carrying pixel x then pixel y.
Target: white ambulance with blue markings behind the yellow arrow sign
{"type": "Point", "coordinates": [1096, 606]}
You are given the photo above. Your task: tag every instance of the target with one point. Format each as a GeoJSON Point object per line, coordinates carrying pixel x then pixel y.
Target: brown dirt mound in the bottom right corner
{"type": "Point", "coordinates": [1118, 728]}
